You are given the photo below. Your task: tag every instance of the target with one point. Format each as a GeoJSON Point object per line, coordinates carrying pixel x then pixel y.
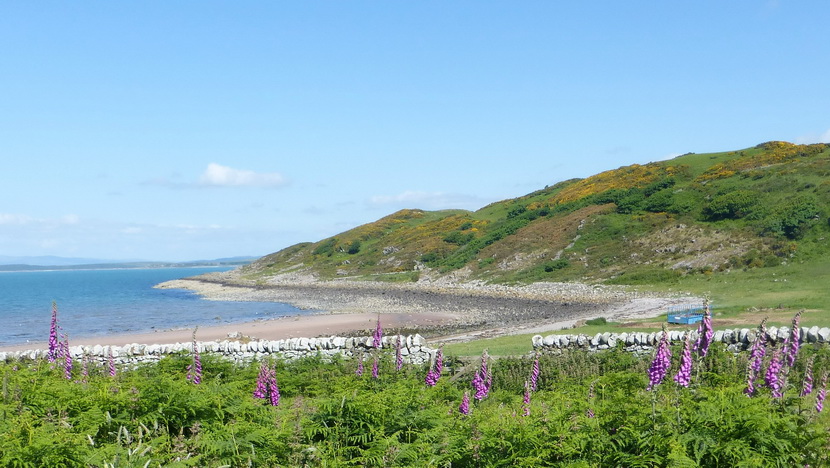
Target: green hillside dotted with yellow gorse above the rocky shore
{"type": "Point", "coordinates": [696, 221]}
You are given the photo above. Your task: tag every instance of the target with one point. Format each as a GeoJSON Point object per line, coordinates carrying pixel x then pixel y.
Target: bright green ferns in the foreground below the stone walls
{"type": "Point", "coordinates": [588, 410]}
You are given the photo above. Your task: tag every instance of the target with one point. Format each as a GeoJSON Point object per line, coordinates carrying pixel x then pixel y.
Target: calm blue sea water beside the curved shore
{"type": "Point", "coordinates": [104, 302]}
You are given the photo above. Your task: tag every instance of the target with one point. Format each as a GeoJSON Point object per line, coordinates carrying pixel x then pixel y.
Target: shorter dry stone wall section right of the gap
{"type": "Point", "coordinates": [737, 339]}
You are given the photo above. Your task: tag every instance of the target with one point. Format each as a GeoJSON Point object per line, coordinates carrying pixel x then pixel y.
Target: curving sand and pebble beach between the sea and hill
{"type": "Point", "coordinates": [441, 312]}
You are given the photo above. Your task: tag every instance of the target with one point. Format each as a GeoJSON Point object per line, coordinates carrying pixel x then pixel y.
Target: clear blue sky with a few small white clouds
{"type": "Point", "coordinates": [171, 130]}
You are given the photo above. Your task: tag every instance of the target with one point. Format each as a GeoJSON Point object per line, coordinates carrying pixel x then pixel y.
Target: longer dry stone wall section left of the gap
{"type": "Point", "coordinates": [414, 349]}
